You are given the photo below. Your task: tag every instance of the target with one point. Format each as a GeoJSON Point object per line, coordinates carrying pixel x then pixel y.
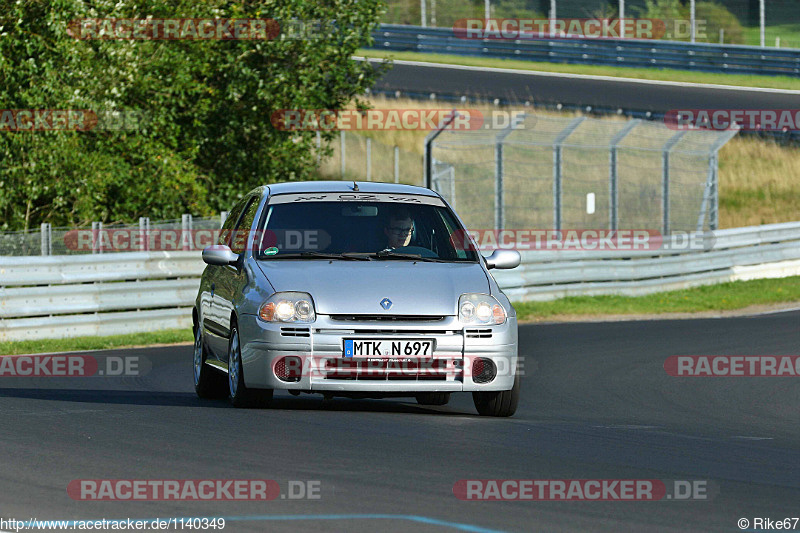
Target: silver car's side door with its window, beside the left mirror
{"type": "Point", "coordinates": [232, 278]}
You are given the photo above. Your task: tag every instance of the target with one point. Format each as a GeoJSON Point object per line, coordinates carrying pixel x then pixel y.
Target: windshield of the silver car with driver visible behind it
{"type": "Point", "coordinates": [373, 230]}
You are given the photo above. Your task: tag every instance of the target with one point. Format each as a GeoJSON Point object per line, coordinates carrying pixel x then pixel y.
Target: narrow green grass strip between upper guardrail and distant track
{"type": "Point", "coordinates": [742, 80]}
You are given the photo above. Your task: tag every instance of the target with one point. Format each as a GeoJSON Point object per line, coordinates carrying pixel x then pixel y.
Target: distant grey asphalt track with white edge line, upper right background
{"type": "Point", "coordinates": [552, 89]}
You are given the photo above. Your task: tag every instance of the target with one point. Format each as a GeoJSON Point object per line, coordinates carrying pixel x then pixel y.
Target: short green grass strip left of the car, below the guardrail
{"type": "Point", "coordinates": [167, 336]}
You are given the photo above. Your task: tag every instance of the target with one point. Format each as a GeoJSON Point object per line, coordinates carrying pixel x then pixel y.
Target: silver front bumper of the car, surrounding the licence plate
{"type": "Point", "coordinates": [320, 348]}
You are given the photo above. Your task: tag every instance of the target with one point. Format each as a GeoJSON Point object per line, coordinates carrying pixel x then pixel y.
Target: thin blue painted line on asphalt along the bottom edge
{"type": "Point", "coordinates": [411, 518]}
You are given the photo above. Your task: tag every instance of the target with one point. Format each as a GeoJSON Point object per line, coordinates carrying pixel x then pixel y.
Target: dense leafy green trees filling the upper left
{"type": "Point", "coordinates": [202, 134]}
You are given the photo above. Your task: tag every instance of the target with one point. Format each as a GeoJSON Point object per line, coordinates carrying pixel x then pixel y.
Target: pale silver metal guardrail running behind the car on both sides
{"type": "Point", "coordinates": [70, 296]}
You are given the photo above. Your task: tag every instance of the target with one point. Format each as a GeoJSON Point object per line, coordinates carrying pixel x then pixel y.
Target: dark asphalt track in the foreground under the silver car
{"type": "Point", "coordinates": [596, 404]}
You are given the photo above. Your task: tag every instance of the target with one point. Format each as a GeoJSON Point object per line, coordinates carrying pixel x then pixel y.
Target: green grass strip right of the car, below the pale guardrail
{"type": "Point", "coordinates": [721, 297]}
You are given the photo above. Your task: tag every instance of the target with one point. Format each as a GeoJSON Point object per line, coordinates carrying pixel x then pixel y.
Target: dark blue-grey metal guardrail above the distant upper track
{"type": "Point", "coordinates": [731, 59]}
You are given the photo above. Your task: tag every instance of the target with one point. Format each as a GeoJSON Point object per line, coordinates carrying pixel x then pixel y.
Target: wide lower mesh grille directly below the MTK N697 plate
{"type": "Point", "coordinates": [383, 370]}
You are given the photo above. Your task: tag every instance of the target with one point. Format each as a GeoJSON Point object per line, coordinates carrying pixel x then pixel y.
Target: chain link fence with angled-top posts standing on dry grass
{"type": "Point", "coordinates": [559, 172]}
